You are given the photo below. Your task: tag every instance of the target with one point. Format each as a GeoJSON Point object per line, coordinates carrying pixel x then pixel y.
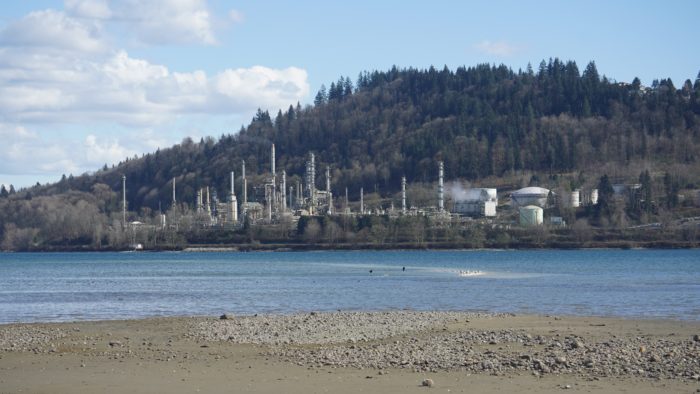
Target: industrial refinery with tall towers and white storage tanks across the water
{"type": "Point", "coordinates": [276, 201]}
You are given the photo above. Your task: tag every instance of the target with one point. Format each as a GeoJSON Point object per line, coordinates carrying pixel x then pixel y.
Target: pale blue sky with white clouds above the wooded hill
{"type": "Point", "coordinates": [84, 83]}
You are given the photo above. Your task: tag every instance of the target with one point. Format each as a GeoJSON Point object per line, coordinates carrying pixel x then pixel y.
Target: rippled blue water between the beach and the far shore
{"type": "Point", "coordinates": [88, 286]}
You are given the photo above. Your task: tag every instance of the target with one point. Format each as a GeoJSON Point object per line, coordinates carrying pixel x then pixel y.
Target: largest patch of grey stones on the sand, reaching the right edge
{"type": "Point", "coordinates": [434, 341]}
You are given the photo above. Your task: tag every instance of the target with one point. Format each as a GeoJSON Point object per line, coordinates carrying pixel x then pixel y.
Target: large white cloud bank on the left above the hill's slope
{"type": "Point", "coordinates": [60, 70]}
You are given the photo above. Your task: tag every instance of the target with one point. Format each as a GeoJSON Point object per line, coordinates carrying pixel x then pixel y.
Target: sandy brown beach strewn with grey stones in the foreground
{"type": "Point", "coordinates": [350, 352]}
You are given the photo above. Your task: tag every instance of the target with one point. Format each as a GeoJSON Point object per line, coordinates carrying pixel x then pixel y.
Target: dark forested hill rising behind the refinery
{"type": "Point", "coordinates": [482, 121]}
